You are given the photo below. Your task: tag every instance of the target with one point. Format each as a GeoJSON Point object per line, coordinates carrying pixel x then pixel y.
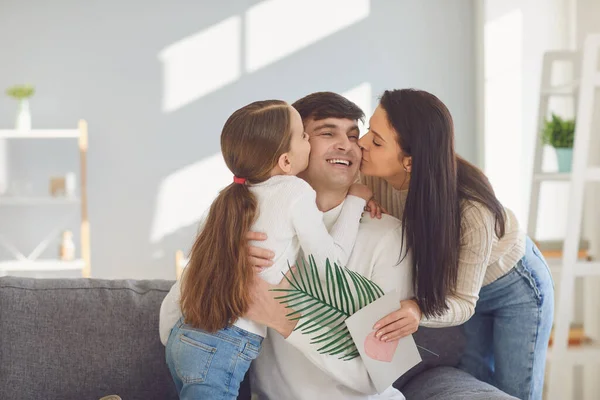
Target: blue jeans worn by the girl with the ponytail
{"type": "Point", "coordinates": [210, 365]}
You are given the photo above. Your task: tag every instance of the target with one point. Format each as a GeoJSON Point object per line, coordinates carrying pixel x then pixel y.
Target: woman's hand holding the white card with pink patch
{"type": "Point", "coordinates": [400, 323]}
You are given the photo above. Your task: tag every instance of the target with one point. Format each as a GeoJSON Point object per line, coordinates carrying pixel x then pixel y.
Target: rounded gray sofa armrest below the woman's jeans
{"type": "Point", "coordinates": [448, 383]}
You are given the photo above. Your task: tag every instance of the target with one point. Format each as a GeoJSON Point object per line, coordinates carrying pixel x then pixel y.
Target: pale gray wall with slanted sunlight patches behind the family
{"type": "Point", "coordinates": [156, 81]}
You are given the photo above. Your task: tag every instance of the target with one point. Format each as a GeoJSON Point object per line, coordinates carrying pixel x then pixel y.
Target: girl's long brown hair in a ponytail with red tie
{"type": "Point", "coordinates": [215, 283]}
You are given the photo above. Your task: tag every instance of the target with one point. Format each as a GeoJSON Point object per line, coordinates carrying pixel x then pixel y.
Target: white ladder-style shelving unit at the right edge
{"type": "Point", "coordinates": [562, 357]}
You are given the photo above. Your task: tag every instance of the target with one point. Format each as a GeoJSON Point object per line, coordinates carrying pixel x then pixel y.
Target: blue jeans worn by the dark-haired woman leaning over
{"type": "Point", "coordinates": [507, 338]}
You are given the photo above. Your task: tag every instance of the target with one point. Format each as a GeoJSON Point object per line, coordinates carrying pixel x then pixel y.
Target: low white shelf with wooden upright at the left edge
{"type": "Point", "coordinates": [32, 262]}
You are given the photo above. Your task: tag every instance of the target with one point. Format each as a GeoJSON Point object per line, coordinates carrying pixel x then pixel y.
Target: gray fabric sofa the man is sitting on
{"type": "Point", "coordinates": [88, 338]}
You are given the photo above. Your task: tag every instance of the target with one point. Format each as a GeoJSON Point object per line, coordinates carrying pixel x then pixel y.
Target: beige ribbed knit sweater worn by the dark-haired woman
{"type": "Point", "coordinates": [483, 257]}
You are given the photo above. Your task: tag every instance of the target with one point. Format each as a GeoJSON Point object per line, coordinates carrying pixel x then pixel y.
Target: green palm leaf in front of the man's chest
{"type": "Point", "coordinates": [324, 305]}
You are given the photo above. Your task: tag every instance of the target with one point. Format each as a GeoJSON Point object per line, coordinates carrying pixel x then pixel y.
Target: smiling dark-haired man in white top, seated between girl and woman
{"type": "Point", "coordinates": [289, 367]}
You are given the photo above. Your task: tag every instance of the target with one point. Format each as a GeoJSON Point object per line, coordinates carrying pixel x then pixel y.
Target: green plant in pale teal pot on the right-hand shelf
{"type": "Point", "coordinates": [560, 134]}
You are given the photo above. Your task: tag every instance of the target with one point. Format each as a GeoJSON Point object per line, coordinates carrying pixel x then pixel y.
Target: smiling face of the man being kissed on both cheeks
{"type": "Point", "coordinates": [335, 156]}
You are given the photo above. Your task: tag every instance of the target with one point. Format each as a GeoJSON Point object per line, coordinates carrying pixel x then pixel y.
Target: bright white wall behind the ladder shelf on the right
{"type": "Point", "coordinates": [517, 34]}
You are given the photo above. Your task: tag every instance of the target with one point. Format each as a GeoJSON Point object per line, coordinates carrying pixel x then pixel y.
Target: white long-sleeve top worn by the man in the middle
{"type": "Point", "coordinates": [293, 369]}
